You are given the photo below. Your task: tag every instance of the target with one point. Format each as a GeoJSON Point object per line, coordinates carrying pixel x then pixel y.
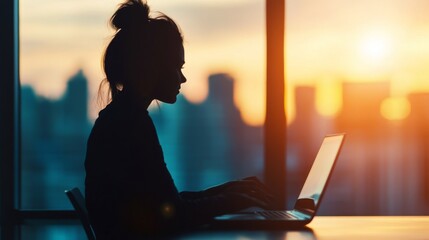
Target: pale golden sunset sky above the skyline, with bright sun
{"type": "Point", "coordinates": [326, 42]}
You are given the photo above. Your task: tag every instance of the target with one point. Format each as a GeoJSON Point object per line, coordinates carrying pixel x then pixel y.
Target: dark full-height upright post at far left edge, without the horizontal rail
{"type": "Point", "coordinates": [9, 116]}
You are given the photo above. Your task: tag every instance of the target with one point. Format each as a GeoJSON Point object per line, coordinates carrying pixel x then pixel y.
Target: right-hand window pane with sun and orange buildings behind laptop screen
{"type": "Point", "coordinates": [360, 67]}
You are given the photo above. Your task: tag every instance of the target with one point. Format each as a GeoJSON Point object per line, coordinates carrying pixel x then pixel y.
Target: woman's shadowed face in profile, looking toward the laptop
{"type": "Point", "coordinates": [170, 76]}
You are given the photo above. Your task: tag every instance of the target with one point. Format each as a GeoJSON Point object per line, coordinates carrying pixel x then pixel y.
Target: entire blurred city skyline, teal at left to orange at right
{"type": "Point", "coordinates": [387, 162]}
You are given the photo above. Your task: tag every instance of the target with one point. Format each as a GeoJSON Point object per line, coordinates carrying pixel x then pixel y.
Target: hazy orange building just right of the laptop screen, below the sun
{"type": "Point", "coordinates": [361, 163]}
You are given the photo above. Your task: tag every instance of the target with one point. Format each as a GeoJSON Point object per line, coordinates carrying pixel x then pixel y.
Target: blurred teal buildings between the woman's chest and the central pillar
{"type": "Point", "coordinates": [208, 143]}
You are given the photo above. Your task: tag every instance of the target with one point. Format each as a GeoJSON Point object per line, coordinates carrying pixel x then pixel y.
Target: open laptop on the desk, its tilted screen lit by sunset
{"type": "Point", "coordinates": [305, 206]}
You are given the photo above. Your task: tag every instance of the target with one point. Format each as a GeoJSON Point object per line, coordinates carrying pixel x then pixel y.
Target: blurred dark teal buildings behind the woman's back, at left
{"type": "Point", "coordinates": [54, 133]}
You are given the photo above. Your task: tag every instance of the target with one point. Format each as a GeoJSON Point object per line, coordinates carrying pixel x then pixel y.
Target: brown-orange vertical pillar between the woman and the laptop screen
{"type": "Point", "coordinates": [275, 120]}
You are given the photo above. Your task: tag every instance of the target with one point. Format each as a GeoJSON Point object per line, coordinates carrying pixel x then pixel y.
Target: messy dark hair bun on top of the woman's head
{"type": "Point", "coordinates": [130, 14]}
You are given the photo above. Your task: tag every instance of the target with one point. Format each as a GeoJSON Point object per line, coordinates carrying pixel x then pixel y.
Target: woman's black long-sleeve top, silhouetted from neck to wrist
{"type": "Point", "coordinates": [128, 185]}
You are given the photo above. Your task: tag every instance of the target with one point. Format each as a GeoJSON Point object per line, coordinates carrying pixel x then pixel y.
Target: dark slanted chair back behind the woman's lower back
{"type": "Point", "coordinates": [78, 201]}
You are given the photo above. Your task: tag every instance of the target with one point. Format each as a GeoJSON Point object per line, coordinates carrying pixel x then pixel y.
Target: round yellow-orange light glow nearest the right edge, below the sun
{"type": "Point", "coordinates": [395, 108]}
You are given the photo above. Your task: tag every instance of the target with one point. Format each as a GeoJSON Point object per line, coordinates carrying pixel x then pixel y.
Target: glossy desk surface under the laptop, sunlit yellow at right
{"type": "Point", "coordinates": [335, 228]}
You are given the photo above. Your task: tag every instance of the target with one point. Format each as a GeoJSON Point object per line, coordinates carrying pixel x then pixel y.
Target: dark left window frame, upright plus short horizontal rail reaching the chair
{"type": "Point", "coordinates": [11, 215]}
